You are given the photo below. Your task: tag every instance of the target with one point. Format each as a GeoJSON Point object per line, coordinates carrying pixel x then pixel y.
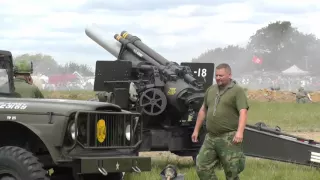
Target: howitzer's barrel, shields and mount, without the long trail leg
{"type": "Point", "coordinates": [169, 95]}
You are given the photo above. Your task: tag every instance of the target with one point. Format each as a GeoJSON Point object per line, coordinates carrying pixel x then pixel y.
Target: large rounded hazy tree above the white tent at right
{"type": "Point", "coordinates": [282, 45]}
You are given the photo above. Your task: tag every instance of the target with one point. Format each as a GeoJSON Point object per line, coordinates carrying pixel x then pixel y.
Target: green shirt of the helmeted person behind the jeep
{"type": "Point", "coordinates": [26, 90]}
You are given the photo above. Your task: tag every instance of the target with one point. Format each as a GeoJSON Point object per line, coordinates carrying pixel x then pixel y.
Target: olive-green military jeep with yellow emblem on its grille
{"type": "Point", "coordinates": [75, 139]}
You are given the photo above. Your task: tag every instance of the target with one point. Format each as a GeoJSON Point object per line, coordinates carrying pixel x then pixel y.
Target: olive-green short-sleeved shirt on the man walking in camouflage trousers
{"type": "Point", "coordinates": [223, 108]}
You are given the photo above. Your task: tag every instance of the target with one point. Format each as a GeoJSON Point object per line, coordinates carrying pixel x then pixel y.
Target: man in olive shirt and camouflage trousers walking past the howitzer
{"type": "Point", "coordinates": [225, 109]}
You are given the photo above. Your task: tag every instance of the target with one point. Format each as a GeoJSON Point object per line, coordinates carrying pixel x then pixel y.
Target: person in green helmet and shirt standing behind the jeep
{"type": "Point", "coordinates": [23, 81]}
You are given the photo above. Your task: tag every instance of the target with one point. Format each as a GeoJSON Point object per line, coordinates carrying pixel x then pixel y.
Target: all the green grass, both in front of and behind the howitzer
{"type": "Point", "coordinates": [294, 118]}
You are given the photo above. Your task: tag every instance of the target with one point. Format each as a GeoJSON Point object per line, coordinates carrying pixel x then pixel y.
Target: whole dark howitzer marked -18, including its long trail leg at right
{"type": "Point", "coordinates": [169, 96]}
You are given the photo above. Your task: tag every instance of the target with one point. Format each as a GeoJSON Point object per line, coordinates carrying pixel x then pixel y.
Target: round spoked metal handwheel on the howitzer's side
{"type": "Point", "coordinates": [153, 101]}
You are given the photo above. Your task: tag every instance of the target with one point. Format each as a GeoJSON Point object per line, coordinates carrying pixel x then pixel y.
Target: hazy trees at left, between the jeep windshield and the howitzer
{"type": "Point", "coordinates": [46, 64]}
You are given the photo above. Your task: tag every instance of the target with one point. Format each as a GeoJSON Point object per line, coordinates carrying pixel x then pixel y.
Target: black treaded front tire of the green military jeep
{"type": "Point", "coordinates": [22, 162]}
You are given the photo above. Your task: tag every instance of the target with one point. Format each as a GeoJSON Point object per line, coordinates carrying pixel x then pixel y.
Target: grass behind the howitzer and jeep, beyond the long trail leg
{"type": "Point", "coordinates": [289, 116]}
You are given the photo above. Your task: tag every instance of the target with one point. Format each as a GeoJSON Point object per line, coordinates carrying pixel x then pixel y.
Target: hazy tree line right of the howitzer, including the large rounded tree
{"type": "Point", "coordinates": [278, 46]}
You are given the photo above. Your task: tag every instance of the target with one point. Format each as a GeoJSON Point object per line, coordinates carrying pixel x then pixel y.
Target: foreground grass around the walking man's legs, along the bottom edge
{"type": "Point", "coordinates": [255, 170]}
